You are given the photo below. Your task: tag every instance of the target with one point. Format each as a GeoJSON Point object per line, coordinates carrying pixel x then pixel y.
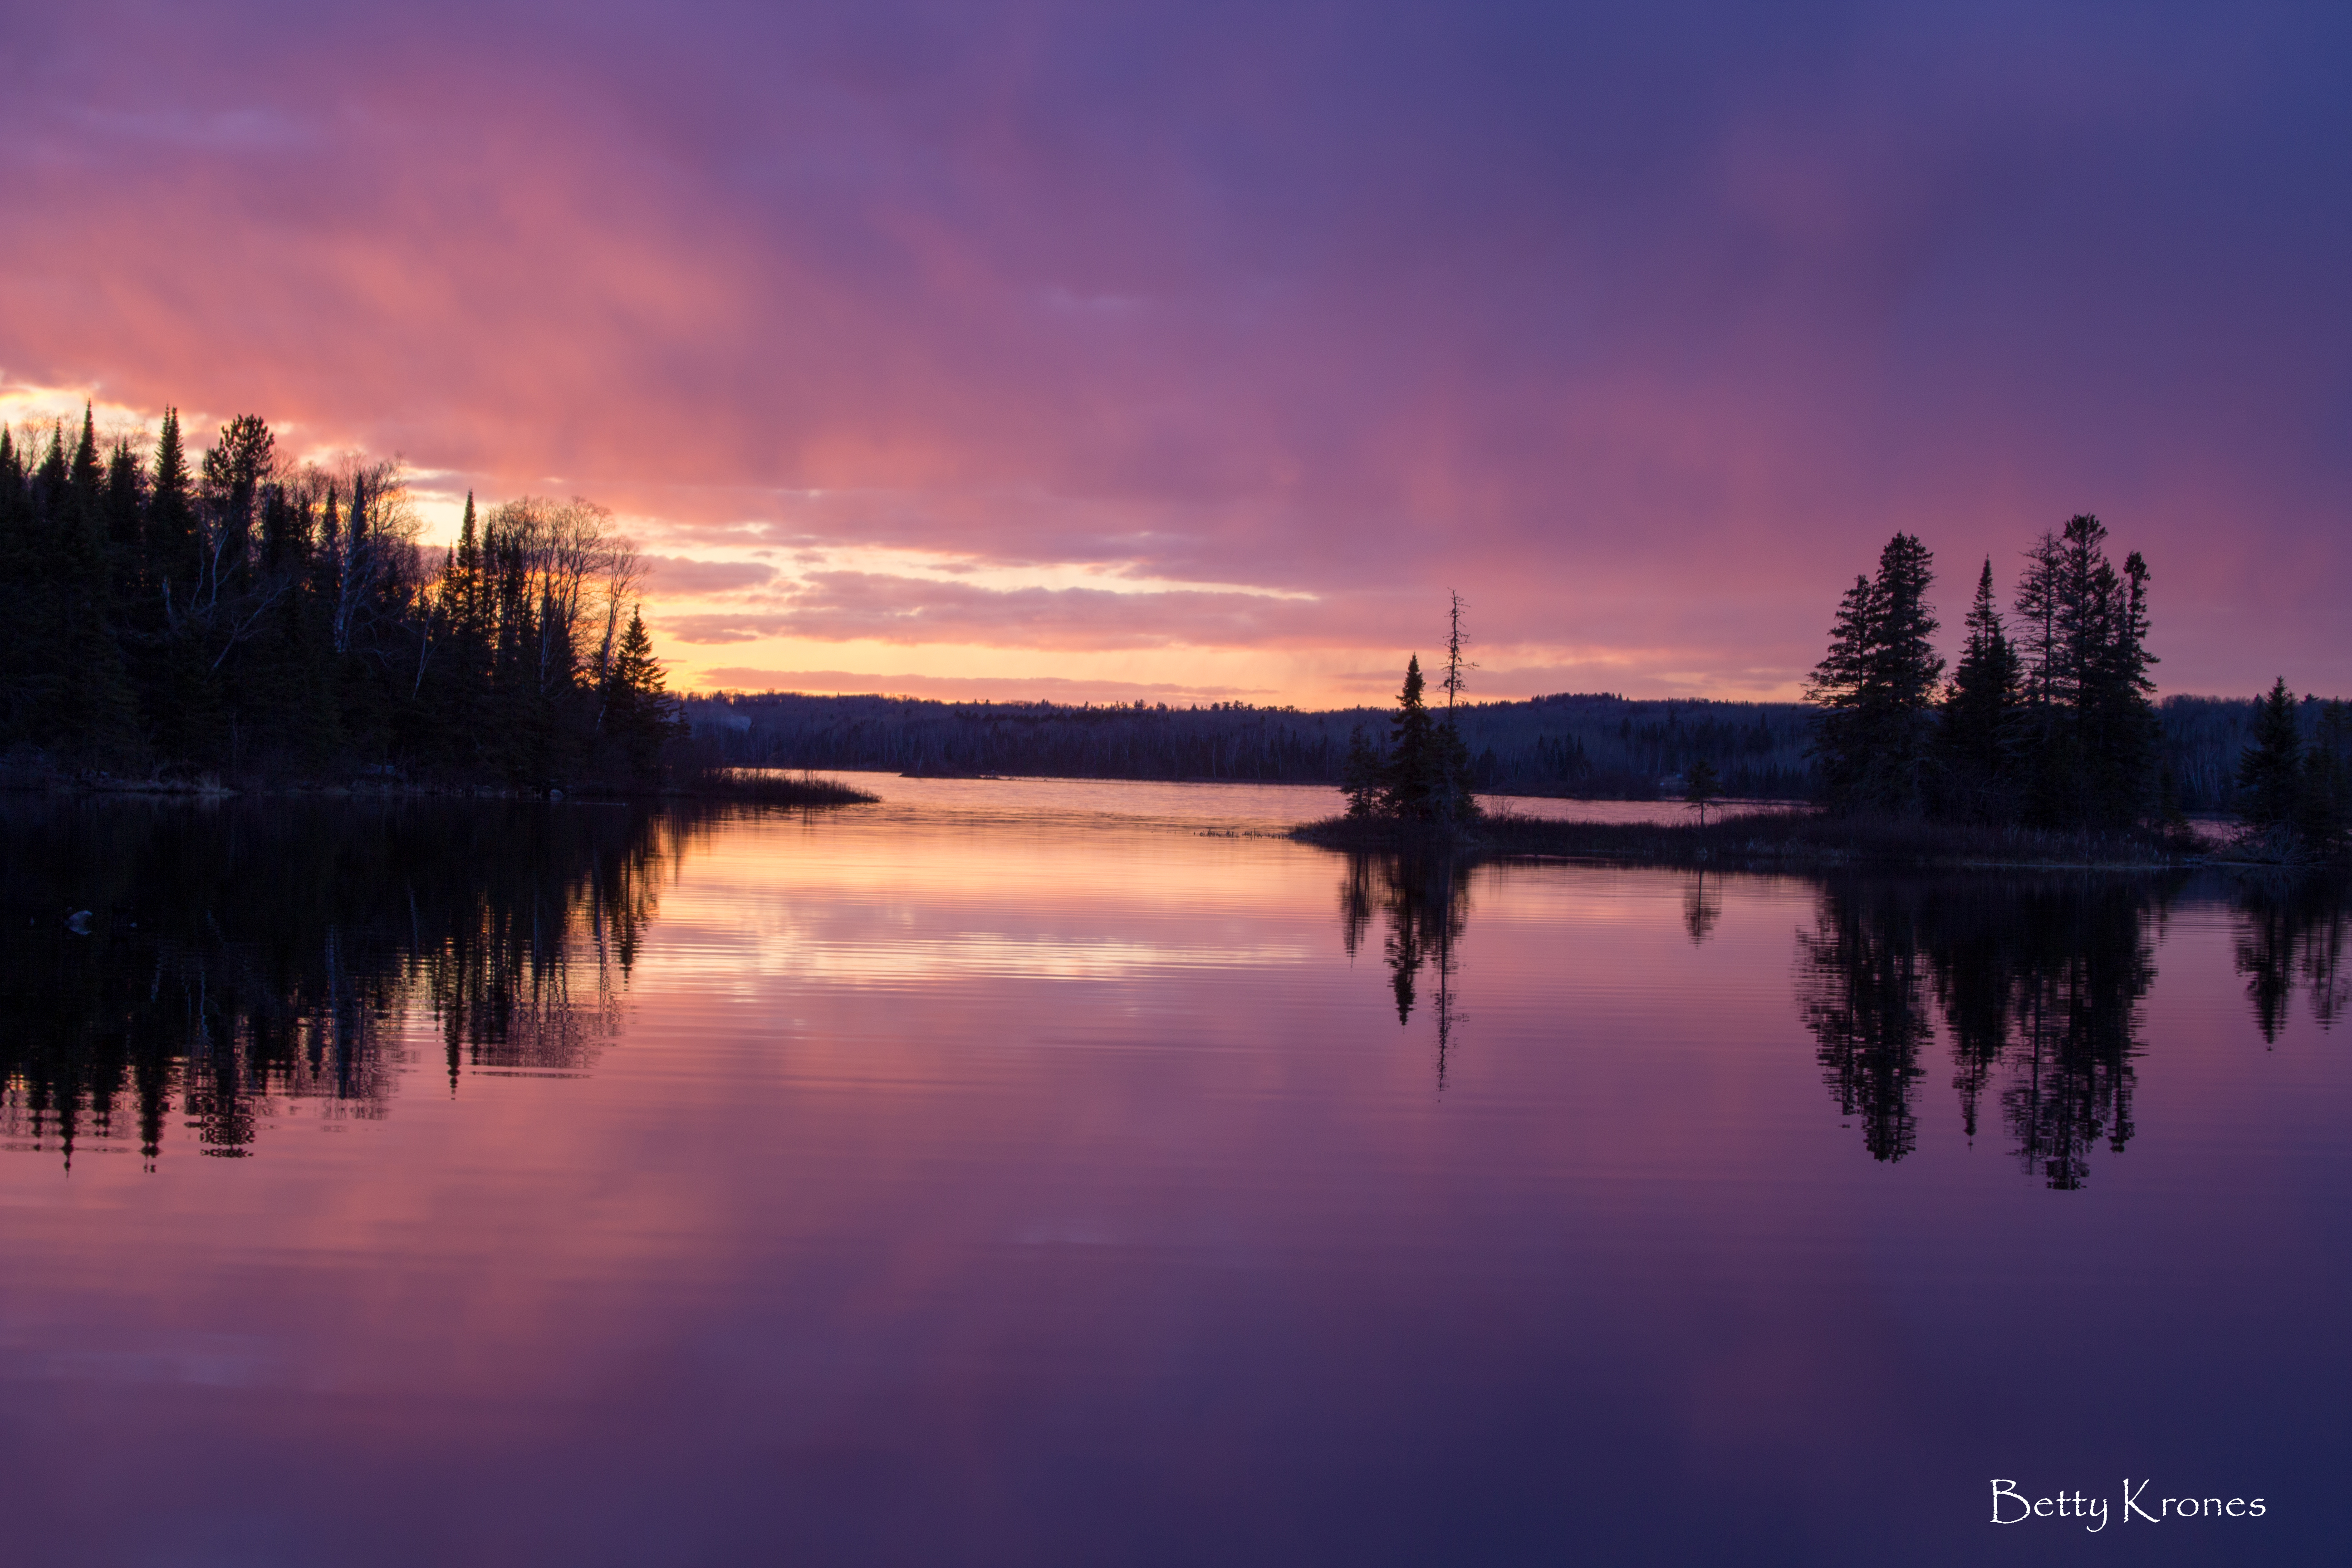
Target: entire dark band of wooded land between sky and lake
{"type": "Point", "coordinates": [236, 622]}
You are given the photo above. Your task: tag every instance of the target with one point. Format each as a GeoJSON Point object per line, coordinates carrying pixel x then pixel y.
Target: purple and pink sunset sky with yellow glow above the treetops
{"type": "Point", "coordinates": [1198, 349]}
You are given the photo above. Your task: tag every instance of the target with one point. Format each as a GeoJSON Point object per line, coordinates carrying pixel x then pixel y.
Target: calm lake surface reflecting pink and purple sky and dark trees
{"type": "Point", "coordinates": [1081, 1174]}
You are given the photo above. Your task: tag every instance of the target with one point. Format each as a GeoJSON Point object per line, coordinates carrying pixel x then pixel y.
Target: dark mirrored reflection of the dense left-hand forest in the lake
{"type": "Point", "coordinates": [248, 958]}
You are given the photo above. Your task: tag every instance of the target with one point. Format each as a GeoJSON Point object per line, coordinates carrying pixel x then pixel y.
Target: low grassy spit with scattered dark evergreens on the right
{"type": "Point", "coordinates": [2043, 749]}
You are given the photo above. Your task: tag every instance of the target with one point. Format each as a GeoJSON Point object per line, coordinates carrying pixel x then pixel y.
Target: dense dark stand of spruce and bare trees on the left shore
{"type": "Point", "coordinates": [236, 612]}
